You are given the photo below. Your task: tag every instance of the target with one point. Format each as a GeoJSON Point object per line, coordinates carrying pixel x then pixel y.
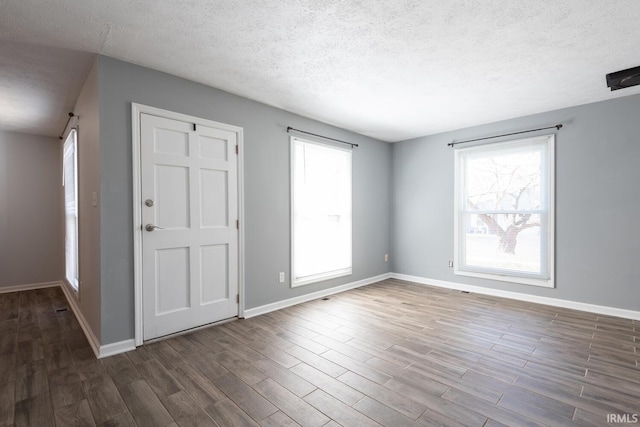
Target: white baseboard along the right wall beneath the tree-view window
{"type": "Point", "coordinates": [592, 308]}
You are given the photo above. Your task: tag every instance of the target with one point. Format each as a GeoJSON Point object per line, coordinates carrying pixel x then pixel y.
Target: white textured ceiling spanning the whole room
{"type": "Point", "coordinates": [390, 69]}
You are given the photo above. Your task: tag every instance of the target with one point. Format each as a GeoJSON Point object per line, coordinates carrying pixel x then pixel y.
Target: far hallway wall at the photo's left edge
{"type": "Point", "coordinates": [31, 241]}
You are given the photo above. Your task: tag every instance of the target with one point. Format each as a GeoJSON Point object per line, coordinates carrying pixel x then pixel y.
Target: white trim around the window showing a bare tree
{"type": "Point", "coordinates": [548, 283]}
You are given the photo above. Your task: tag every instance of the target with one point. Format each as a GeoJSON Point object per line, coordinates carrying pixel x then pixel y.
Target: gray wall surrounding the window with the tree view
{"type": "Point", "coordinates": [597, 203]}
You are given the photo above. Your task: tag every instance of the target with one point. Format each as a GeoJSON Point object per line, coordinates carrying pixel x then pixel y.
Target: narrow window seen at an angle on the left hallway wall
{"type": "Point", "coordinates": [70, 182]}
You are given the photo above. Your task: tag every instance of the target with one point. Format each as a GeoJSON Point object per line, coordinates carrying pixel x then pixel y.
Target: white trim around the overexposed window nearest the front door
{"type": "Point", "coordinates": [330, 274]}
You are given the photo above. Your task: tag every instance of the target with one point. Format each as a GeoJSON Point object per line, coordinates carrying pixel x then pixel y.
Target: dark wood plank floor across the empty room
{"type": "Point", "coordinates": [392, 353]}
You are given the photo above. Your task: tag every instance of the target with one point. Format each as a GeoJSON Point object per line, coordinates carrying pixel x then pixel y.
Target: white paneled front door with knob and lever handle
{"type": "Point", "coordinates": [189, 189]}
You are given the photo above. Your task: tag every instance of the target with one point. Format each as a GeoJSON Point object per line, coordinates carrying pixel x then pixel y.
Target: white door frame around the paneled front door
{"type": "Point", "coordinates": [136, 111]}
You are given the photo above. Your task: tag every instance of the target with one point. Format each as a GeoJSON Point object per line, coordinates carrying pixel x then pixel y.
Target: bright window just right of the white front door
{"type": "Point", "coordinates": [321, 211]}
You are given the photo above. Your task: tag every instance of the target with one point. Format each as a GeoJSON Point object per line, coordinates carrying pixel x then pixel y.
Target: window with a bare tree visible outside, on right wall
{"type": "Point", "coordinates": [504, 211]}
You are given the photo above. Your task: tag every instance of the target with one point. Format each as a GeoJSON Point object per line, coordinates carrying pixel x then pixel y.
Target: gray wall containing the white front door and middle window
{"type": "Point", "coordinates": [266, 178]}
